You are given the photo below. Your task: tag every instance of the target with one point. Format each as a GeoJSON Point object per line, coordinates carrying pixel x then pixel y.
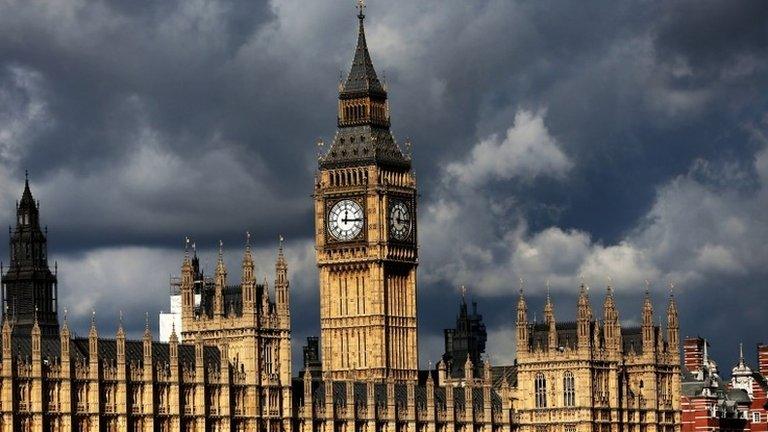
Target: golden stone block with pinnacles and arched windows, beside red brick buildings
{"type": "Point", "coordinates": [597, 376]}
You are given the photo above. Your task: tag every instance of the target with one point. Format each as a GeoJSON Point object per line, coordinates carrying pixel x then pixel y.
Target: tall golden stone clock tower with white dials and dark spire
{"type": "Point", "coordinates": [365, 220]}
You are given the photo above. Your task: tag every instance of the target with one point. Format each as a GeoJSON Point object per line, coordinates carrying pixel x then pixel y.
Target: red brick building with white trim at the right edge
{"type": "Point", "coordinates": [710, 403]}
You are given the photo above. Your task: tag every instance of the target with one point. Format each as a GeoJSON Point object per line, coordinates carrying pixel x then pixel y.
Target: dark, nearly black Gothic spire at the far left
{"type": "Point", "coordinates": [29, 287]}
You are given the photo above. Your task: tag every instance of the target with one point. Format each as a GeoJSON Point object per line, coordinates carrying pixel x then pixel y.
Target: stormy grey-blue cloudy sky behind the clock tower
{"type": "Point", "coordinates": [143, 122]}
